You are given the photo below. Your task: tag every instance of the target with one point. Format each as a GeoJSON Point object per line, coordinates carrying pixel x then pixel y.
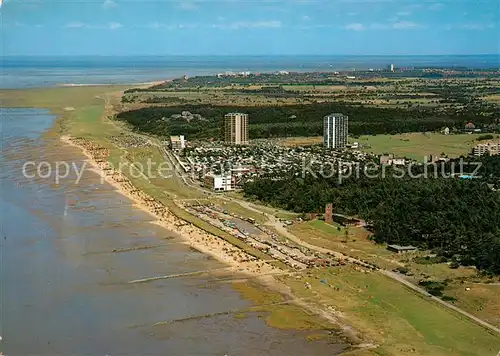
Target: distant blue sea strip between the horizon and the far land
{"type": "Point", "coordinates": [22, 72]}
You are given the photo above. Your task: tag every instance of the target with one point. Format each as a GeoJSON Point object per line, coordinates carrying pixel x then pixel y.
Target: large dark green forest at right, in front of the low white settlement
{"type": "Point", "coordinates": [457, 219]}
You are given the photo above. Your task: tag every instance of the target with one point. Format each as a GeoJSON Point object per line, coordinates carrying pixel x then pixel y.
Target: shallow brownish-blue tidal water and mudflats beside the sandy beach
{"type": "Point", "coordinates": [64, 291]}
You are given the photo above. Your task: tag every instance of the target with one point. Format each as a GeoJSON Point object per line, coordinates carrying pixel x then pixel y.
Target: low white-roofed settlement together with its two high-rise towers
{"type": "Point", "coordinates": [225, 167]}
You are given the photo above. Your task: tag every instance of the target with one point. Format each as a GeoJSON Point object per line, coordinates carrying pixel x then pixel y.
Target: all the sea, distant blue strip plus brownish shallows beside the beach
{"type": "Point", "coordinates": [64, 290]}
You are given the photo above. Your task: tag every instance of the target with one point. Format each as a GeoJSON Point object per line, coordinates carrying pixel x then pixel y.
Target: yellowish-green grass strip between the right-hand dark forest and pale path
{"type": "Point", "coordinates": [481, 300]}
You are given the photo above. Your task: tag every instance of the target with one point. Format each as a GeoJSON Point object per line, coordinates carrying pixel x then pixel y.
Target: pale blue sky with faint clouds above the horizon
{"type": "Point", "coordinates": [249, 27]}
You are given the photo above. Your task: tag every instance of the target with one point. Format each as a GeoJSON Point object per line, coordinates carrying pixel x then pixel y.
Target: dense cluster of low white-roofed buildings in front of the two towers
{"type": "Point", "coordinates": [227, 167]}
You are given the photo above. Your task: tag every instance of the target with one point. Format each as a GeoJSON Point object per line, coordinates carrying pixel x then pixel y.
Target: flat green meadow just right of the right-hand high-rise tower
{"type": "Point", "coordinates": [419, 145]}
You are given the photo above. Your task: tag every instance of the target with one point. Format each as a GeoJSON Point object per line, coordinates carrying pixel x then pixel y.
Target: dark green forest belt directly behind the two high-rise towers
{"type": "Point", "coordinates": [294, 120]}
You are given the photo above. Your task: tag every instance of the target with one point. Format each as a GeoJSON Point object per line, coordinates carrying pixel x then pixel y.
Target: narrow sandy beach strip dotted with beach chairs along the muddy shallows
{"type": "Point", "coordinates": [237, 260]}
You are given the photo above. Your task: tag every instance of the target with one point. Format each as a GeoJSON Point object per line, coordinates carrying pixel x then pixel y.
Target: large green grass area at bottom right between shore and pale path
{"type": "Point", "coordinates": [397, 319]}
